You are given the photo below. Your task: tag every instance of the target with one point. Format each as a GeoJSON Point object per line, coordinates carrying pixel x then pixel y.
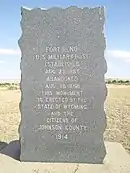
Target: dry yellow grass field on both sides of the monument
{"type": "Point", "coordinates": [117, 109]}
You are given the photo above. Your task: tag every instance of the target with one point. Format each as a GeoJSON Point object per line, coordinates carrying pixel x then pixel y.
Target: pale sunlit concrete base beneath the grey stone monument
{"type": "Point", "coordinates": [117, 160]}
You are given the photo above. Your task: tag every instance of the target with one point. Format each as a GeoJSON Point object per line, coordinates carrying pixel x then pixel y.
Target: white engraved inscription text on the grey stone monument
{"type": "Point", "coordinates": [61, 74]}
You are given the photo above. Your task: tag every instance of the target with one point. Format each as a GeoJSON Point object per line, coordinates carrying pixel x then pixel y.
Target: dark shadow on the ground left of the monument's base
{"type": "Point", "coordinates": [12, 150]}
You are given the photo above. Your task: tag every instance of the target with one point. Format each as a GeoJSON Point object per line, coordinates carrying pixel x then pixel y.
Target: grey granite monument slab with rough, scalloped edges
{"type": "Point", "coordinates": [63, 51]}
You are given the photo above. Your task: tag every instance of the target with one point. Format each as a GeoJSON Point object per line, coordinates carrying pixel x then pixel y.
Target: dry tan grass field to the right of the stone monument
{"type": "Point", "coordinates": [118, 115]}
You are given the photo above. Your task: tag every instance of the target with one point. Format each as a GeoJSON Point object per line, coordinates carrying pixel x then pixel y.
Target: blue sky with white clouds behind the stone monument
{"type": "Point", "coordinates": [117, 32]}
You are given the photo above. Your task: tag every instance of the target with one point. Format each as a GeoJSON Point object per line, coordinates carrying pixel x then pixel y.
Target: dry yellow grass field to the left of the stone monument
{"type": "Point", "coordinates": [9, 114]}
